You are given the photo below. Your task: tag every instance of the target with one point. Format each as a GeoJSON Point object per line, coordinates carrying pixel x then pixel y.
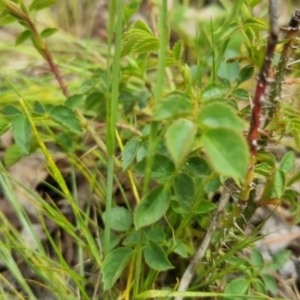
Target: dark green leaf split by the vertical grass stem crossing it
{"type": "Point", "coordinates": [162, 167]}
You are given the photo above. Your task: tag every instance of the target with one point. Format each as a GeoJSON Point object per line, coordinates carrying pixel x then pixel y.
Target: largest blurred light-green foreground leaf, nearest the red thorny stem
{"type": "Point", "coordinates": [227, 152]}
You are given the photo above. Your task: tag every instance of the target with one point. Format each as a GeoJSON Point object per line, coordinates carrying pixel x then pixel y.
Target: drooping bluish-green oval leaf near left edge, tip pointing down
{"type": "Point", "coordinates": [21, 132]}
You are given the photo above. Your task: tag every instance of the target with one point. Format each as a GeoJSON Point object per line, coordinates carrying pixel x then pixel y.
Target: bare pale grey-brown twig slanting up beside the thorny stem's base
{"type": "Point", "coordinates": [189, 272]}
